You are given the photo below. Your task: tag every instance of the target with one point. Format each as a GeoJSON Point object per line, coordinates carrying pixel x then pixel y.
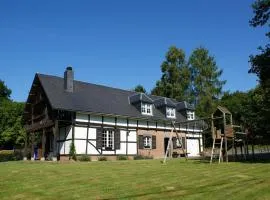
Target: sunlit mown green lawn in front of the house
{"type": "Point", "coordinates": [145, 179]}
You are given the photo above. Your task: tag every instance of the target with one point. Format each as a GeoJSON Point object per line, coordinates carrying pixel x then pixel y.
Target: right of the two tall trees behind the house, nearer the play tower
{"type": "Point", "coordinates": [205, 81]}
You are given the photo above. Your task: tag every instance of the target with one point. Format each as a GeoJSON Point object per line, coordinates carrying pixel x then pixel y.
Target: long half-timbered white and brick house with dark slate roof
{"type": "Point", "coordinates": [103, 121]}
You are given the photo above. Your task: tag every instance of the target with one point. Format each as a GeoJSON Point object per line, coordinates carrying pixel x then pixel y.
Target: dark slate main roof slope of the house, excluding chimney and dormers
{"type": "Point", "coordinates": [98, 99]}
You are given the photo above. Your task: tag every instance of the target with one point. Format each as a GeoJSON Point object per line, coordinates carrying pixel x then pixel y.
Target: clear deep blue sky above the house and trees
{"type": "Point", "coordinates": [122, 43]}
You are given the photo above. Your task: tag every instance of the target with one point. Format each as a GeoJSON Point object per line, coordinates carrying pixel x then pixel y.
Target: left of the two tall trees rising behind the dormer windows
{"type": "Point", "coordinates": [174, 82]}
